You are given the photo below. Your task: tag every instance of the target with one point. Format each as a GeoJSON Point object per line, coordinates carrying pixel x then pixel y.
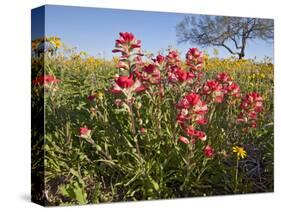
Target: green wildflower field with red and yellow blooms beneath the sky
{"type": "Point", "coordinates": [144, 127]}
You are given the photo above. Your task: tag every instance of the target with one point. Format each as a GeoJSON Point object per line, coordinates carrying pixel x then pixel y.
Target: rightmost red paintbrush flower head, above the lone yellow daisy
{"type": "Point", "coordinates": [251, 106]}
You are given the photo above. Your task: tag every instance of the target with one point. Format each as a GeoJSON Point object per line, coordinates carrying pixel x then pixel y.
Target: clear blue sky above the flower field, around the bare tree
{"type": "Point", "coordinates": [94, 30]}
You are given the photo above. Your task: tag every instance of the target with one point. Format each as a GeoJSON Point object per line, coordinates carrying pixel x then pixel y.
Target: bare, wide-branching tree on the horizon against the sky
{"type": "Point", "coordinates": [232, 33]}
